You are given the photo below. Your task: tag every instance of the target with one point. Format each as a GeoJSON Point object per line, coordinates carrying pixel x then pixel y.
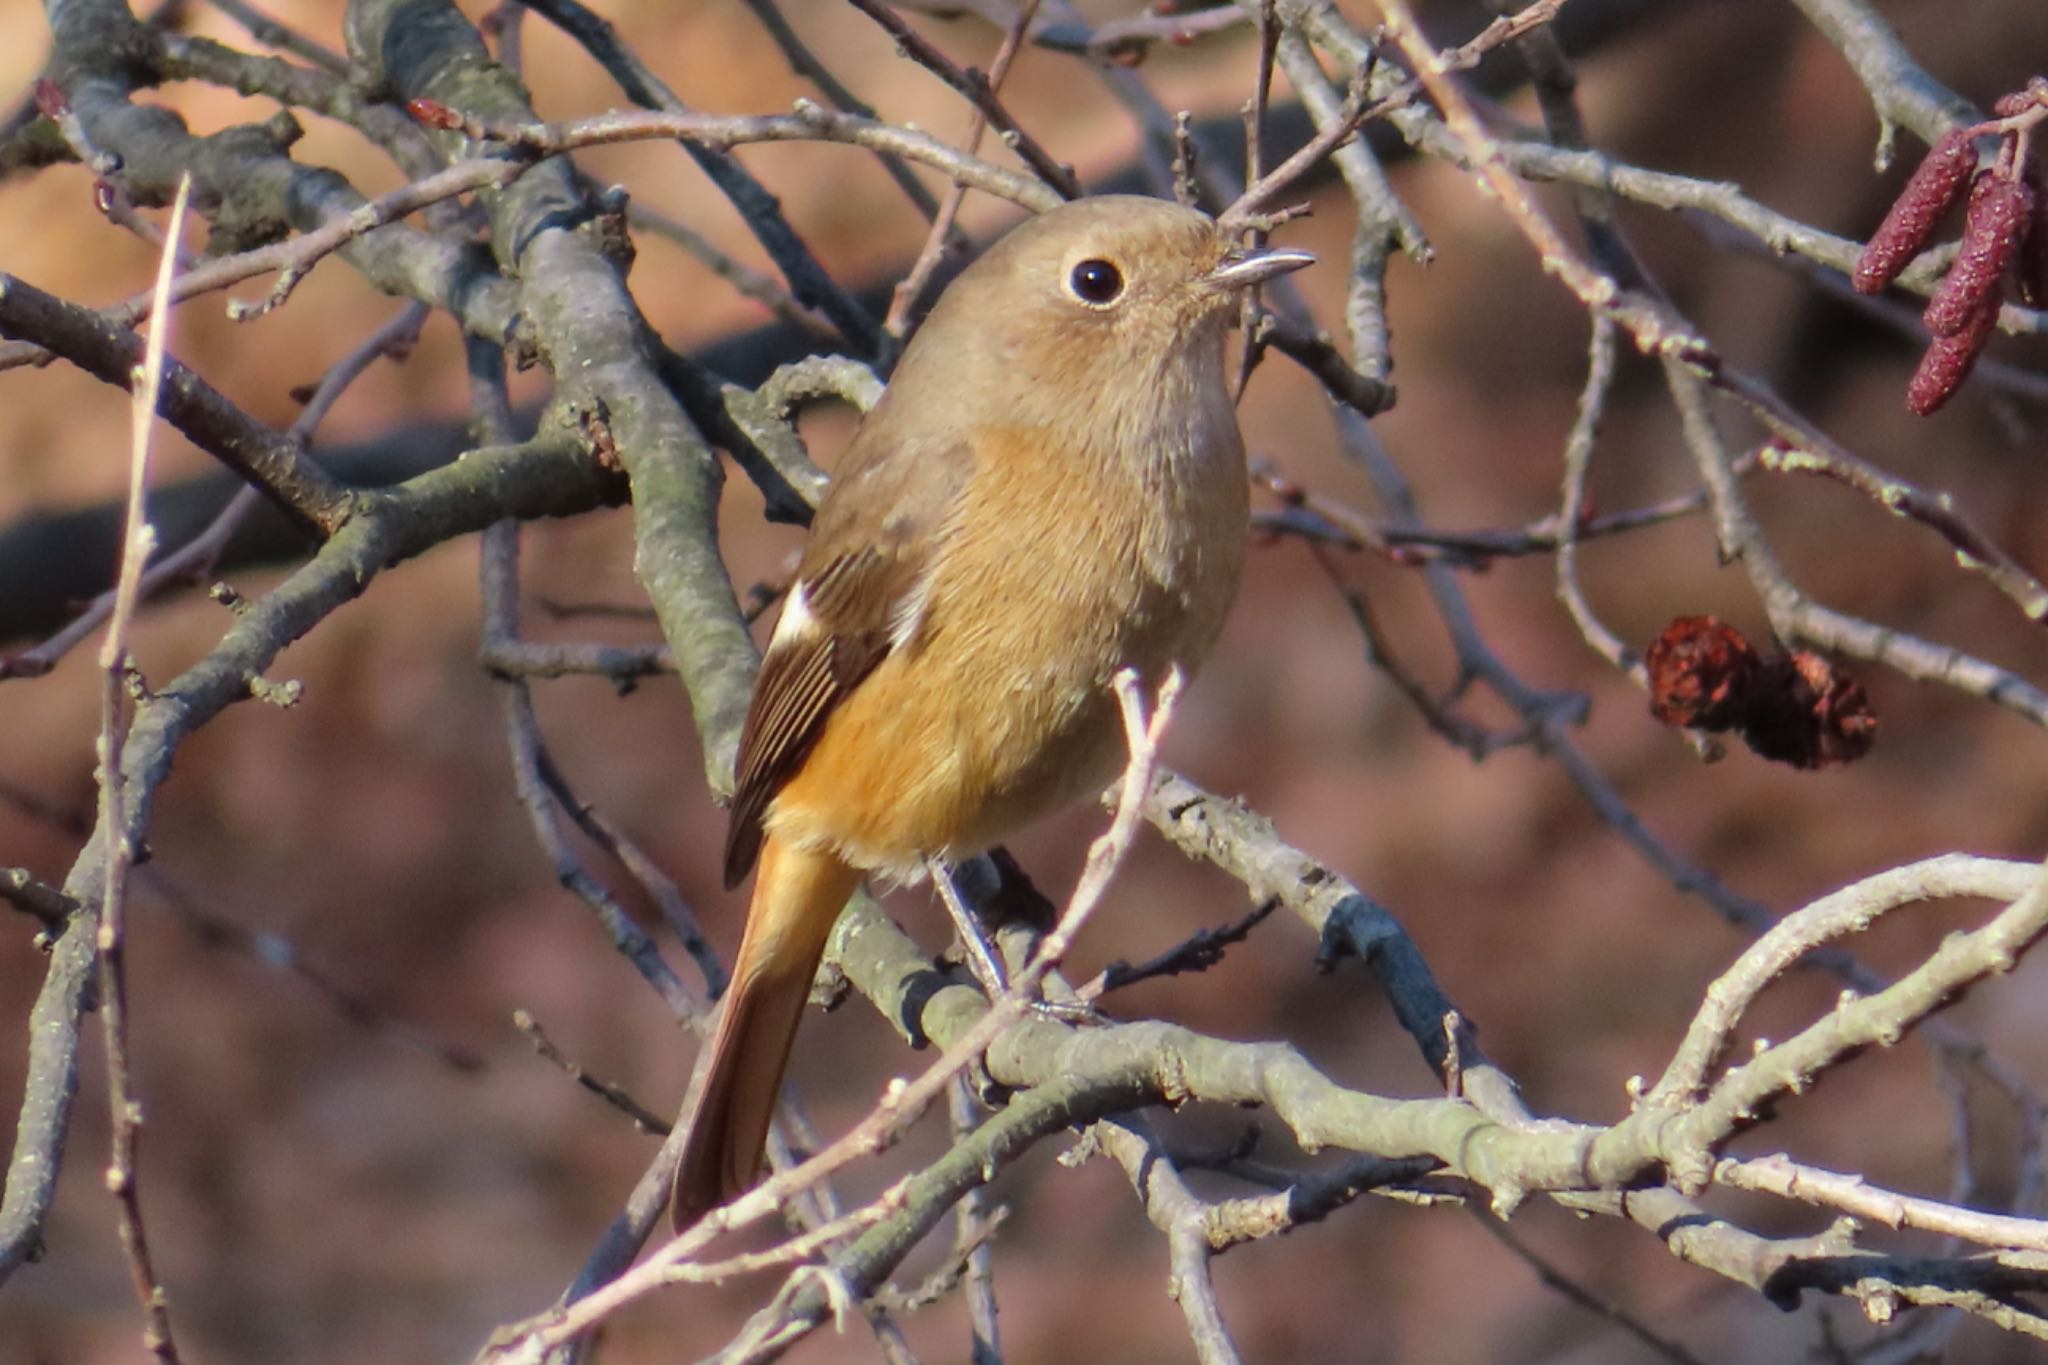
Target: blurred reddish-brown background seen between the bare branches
{"type": "Point", "coordinates": [392, 1182]}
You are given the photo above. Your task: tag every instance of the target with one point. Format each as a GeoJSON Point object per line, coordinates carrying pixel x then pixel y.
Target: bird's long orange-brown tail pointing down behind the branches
{"type": "Point", "coordinates": [798, 897]}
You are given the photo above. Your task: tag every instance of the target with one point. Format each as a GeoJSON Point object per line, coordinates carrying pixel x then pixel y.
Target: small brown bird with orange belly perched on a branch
{"type": "Point", "coordinates": [1052, 490]}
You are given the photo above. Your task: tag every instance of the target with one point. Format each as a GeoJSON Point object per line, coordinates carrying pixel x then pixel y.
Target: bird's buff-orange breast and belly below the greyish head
{"type": "Point", "coordinates": [1058, 572]}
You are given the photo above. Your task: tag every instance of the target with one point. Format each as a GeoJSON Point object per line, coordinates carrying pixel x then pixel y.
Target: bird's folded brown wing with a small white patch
{"type": "Point", "coordinates": [859, 599]}
